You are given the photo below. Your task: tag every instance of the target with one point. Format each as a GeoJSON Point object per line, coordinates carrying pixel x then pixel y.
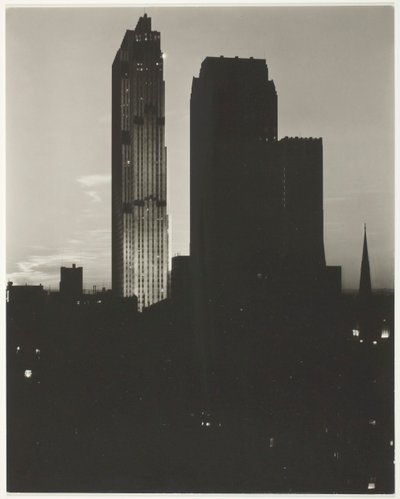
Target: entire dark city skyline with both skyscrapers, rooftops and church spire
{"type": "Point", "coordinates": [250, 371]}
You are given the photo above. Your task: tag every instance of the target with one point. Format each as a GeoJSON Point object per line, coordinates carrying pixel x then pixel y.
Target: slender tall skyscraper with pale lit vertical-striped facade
{"type": "Point", "coordinates": [139, 168]}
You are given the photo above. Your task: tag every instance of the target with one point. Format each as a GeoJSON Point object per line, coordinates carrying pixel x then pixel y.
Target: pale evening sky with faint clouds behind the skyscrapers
{"type": "Point", "coordinates": [334, 75]}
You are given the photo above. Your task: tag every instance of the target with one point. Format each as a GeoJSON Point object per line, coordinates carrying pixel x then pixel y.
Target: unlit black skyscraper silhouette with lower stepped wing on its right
{"type": "Point", "coordinates": [256, 201]}
